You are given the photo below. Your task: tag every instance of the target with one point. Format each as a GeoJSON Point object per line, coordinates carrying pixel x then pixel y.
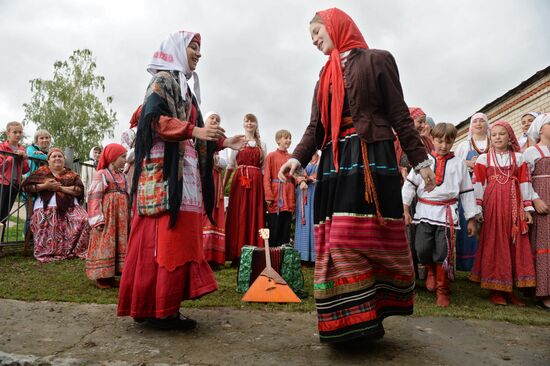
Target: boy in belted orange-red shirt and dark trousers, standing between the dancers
{"type": "Point", "coordinates": [279, 195]}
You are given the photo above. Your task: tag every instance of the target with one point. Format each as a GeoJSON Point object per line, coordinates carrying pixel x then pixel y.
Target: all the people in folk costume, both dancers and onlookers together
{"type": "Point", "coordinates": [156, 213]}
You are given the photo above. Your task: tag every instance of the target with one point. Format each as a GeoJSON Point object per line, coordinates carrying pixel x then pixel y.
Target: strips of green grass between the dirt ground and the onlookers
{"type": "Point", "coordinates": [24, 278]}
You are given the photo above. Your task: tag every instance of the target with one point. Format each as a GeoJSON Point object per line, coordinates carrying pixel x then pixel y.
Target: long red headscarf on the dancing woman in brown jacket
{"type": "Point", "coordinates": [345, 36]}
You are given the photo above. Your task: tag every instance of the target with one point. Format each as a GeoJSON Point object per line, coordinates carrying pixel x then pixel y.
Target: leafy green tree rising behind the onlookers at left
{"type": "Point", "coordinates": [69, 105]}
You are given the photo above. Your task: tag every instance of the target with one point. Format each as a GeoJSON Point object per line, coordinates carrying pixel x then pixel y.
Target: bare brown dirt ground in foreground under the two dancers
{"type": "Point", "coordinates": [42, 333]}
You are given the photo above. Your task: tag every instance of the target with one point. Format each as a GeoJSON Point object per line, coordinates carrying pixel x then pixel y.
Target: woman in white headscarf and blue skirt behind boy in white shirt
{"type": "Point", "coordinates": [468, 150]}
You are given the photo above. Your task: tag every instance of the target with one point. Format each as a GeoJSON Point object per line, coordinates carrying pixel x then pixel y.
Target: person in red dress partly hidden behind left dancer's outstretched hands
{"type": "Point", "coordinates": [213, 234]}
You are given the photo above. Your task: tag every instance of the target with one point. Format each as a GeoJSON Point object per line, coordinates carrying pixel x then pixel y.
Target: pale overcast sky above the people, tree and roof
{"type": "Point", "coordinates": [454, 56]}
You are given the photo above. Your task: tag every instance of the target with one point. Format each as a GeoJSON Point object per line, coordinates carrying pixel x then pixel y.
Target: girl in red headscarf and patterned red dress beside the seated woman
{"type": "Point", "coordinates": [108, 214]}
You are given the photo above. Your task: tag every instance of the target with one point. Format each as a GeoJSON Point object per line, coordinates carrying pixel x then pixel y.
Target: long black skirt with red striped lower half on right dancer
{"type": "Point", "coordinates": [363, 271]}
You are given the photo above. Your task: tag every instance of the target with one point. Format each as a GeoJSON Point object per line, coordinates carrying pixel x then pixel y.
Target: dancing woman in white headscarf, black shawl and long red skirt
{"type": "Point", "coordinates": [172, 188]}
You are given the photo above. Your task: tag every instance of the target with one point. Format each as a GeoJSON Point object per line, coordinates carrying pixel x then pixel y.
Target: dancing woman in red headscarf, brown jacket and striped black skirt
{"type": "Point", "coordinates": [363, 269]}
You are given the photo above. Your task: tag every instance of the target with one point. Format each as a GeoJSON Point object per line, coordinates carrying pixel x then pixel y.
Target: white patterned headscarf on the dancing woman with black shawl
{"type": "Point", "coordinates": [172, 56]}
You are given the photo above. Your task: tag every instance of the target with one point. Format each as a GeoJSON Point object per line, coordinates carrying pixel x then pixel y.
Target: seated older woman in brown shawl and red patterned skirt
{"type": "Point", "coordinates": [58, 223]}
